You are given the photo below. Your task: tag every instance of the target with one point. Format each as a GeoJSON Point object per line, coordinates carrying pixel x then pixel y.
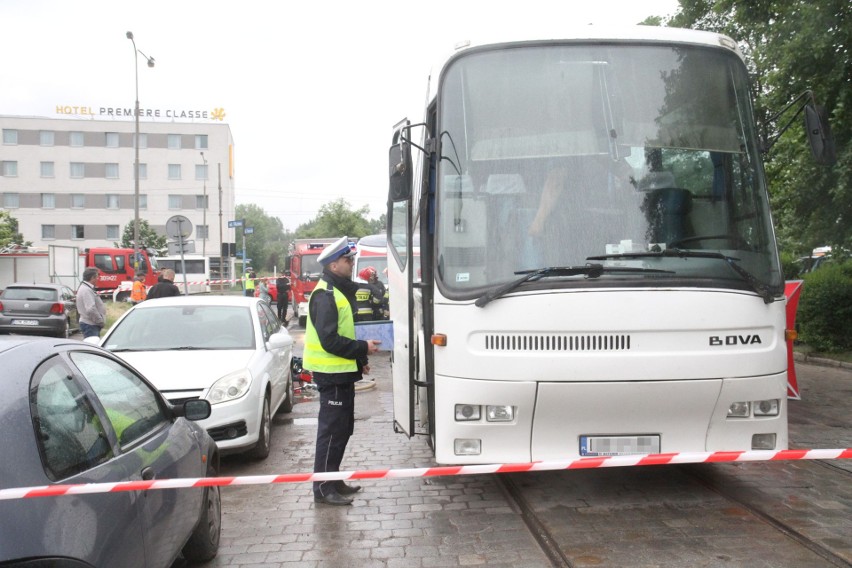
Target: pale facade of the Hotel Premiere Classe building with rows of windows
{"type": "Point", "coordinates": [71, 182]}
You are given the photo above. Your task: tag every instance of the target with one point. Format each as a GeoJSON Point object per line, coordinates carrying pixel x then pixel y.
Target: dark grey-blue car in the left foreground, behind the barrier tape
{"type": "Point", "coordinates": [73, 413]}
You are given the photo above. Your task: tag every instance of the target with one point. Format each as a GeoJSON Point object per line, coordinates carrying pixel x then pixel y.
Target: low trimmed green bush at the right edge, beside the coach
{"type": "Point", "coordinates": [825, 308]}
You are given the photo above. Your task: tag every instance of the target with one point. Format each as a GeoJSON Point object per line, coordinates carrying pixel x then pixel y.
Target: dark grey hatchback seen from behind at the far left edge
{"type": "Point", "coordinates": [42, 309]}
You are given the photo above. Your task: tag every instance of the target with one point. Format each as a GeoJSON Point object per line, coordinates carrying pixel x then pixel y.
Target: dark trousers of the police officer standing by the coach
{"type": "Point", "coordinates": [336, 423]}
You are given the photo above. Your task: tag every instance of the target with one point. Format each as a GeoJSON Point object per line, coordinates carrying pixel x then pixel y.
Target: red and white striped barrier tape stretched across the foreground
{"type": "Point", "coordinates": [580, 463]}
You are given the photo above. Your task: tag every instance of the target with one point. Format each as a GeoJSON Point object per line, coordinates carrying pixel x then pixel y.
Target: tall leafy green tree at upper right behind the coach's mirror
{"type": "Point", "coordinates": [793, 46]}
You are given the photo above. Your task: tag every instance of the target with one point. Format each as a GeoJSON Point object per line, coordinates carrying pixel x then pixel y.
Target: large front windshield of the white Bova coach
{"type": "Point", "coordinates": [552, 155]}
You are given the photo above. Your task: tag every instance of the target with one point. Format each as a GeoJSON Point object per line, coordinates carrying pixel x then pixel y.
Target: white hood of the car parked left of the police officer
{"type": "Point", "coordinates": [178, 370]}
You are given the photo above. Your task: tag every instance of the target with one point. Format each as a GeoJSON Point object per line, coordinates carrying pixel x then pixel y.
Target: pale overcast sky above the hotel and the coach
{"type": "Point", "coordinates": [310, 90]}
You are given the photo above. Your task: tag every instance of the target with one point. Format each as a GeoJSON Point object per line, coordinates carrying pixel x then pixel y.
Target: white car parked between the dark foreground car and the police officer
{"type": "Point", "coordinates": [229, 350]}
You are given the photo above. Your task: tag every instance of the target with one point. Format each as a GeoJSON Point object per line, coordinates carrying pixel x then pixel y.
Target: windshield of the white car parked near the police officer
{"type": "Point", "coordinates": [183, 328]}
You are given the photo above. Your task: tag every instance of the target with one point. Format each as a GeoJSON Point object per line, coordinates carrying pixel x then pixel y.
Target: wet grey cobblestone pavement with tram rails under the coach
{"type": "Point", "coordinates": [656, 516]}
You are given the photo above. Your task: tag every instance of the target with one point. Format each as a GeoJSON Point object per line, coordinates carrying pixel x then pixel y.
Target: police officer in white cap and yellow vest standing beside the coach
{"type": "Point", "coordinates": [338, 361]}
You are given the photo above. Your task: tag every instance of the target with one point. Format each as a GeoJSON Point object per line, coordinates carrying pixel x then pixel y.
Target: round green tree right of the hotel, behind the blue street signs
{"type": "Point", "coordinates": [267, 245]}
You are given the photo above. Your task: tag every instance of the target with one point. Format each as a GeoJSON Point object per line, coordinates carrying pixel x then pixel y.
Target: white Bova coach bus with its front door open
{"type": "Point", "coordinates": [599, 267]}
